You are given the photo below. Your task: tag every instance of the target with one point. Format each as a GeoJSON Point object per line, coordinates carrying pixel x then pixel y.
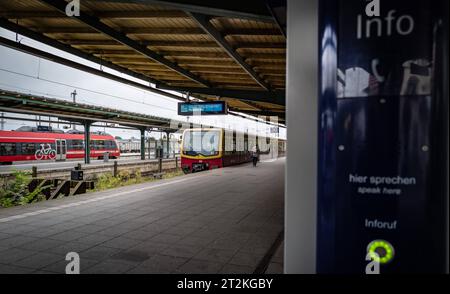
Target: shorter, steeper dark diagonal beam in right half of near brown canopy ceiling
{"type": "Point", "coordinates": [203, 22]}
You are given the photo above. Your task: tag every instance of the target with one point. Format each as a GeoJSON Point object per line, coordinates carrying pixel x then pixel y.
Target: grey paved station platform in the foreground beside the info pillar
{"type": "Point", "coordinates": [223, 221]}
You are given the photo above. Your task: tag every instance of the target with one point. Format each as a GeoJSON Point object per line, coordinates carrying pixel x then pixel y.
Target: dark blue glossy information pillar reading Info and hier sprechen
{"type": "Point", "coordinates": [383, 137]}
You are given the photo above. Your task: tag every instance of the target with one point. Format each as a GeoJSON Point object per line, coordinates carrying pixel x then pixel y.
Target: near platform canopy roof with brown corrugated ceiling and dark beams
{"type": "Point", "coordinates": [228, 50]}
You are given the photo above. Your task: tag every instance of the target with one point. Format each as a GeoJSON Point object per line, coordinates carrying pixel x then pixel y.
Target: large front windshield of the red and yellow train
{"type": "Point", "coordinates": [205, 142]}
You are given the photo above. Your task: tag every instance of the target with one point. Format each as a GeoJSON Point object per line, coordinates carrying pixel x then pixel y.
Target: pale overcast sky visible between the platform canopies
{"type": "Point", "coordinates": [28, 74]}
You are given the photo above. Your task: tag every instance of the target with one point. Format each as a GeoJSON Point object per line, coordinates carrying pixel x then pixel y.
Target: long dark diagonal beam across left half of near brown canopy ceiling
{"type": "Point", "coordinates": [95, 23]}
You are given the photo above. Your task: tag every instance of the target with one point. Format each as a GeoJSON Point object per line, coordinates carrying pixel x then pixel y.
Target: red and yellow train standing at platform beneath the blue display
{"type": "Point", "coordinates": [204, 149]}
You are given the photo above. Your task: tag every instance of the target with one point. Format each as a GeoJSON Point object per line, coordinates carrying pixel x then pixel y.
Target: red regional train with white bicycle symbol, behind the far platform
{"type": "Point", "coordinates": [34, 146]}
